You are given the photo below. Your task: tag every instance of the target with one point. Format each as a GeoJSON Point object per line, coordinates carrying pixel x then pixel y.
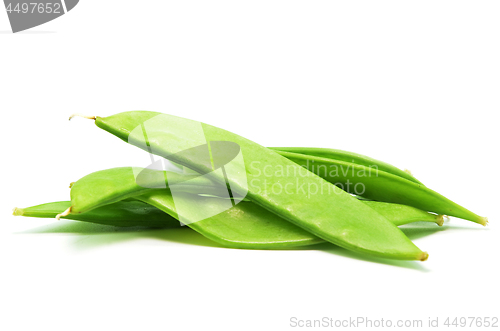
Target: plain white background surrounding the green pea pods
{"type": "Point", "coordinates": [415, 84]}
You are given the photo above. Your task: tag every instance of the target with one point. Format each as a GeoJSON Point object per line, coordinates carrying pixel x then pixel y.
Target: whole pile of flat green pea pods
{"type": "Point", "coordinates": [254, 215]}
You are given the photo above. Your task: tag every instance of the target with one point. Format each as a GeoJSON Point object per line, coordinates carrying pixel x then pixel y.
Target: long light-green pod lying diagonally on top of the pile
{"type": "Point", "coordinates": [336, 217]}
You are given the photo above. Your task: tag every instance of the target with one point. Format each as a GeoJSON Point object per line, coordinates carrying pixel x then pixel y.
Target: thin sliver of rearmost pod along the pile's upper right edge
{"type": "Point", "coordinates": [350, 157]}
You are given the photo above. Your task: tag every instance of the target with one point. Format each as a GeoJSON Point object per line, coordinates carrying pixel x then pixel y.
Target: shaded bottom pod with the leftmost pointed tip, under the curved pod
{"type": "Point", "coordinates": [121, 213]}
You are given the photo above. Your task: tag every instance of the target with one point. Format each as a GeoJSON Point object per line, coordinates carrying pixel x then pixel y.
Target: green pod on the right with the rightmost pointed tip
{"type": "Point", "coordinates": [383, 186]}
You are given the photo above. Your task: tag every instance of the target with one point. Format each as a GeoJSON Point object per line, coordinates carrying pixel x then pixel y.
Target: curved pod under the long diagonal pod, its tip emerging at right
{"type": "Point", "coordinates": [249, 226]}
